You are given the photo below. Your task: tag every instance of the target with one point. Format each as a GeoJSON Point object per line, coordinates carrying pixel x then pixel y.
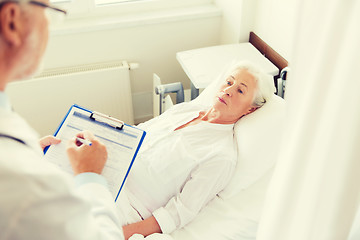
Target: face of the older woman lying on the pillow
{"type": "Point", "coordinates": [236, 95]}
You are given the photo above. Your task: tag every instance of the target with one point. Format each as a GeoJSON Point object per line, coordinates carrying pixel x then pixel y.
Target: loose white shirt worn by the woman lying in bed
{"type": "Point", "coordinates": [178, 172]}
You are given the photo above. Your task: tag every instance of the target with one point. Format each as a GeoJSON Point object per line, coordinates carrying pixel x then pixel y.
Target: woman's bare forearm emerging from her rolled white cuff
{"type": "Point", "coordinates": [145, 227]}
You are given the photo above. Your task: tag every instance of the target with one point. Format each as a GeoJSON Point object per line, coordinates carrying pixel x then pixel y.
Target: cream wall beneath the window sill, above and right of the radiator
{"type": "Point", "coordinates": [152, 45]}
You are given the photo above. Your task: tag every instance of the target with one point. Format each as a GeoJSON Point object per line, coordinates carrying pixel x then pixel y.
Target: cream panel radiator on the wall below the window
{"type": "Point", "coordinates": [44, 100]}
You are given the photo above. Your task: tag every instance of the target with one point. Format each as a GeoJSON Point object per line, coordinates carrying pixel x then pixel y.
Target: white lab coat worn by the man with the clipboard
{"type": "Point", "coordinates": [38, 201]}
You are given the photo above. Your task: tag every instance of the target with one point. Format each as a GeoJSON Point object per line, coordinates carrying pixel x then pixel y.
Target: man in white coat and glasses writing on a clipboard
{"type": "Point", "coordinates": [37, 200]}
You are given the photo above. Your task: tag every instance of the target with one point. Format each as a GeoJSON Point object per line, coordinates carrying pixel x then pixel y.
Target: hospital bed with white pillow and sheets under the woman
{"type": "Point", "coordinates": [236, 211]}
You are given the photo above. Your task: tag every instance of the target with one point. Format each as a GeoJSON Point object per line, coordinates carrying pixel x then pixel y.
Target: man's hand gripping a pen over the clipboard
{"type": "Point", "coordinates": [84, 157]}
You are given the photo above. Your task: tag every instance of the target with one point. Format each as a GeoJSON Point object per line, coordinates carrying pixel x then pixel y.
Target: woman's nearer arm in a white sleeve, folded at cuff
{"type": "Point", "coordinates": [204, 183]}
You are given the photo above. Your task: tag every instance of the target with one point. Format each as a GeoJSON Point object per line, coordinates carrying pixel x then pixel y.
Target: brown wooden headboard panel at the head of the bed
{"type": "Point", "coordinates": [268, 52]}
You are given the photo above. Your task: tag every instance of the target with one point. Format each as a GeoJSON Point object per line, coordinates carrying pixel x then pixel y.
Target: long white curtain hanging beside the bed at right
{"type": "Point", "coordinates": [314, 193]}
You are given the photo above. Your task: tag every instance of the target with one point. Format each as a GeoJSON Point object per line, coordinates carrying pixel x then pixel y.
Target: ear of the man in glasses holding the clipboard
{"type": "Point", "coordinates": [10, 23]}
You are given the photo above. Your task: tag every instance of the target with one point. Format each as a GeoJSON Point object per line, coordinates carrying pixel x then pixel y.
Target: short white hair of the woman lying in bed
{"type": "Point", "coordinates": [264, 82]}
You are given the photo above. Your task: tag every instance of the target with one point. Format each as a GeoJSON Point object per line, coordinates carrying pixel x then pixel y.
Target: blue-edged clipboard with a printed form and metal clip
{"type": "Point", "coordinates": [121, 140]}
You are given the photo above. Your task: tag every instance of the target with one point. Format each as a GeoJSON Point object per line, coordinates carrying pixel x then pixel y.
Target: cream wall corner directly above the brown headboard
{"type": "Point", "coordinates": [272, 20]}
